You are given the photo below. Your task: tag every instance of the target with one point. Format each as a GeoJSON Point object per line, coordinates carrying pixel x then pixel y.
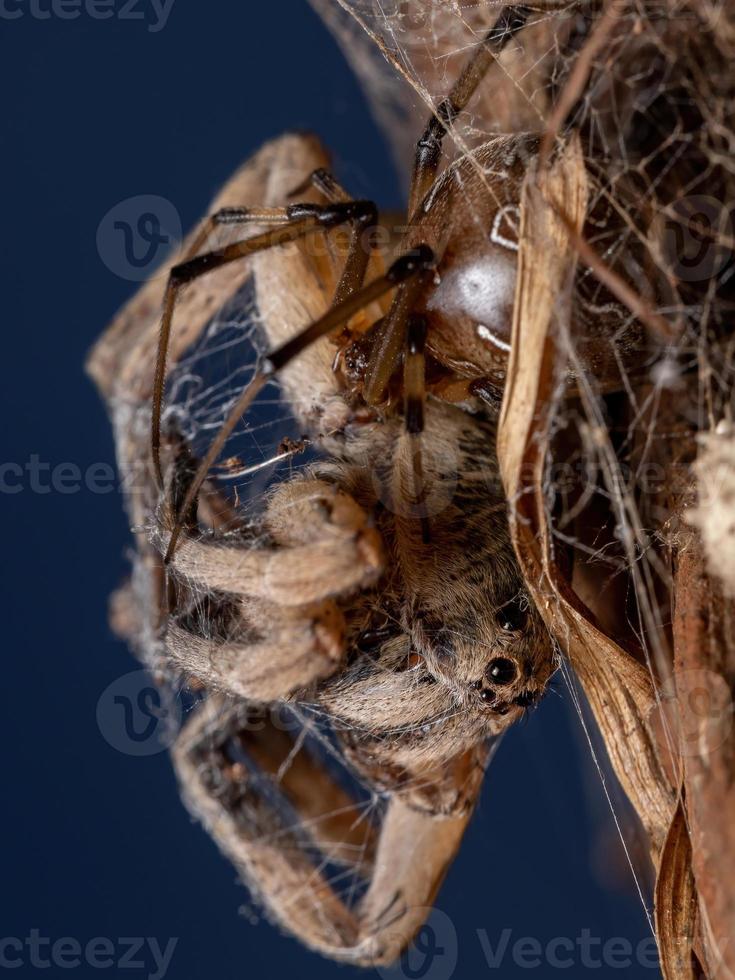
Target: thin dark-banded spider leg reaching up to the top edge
{"type": "Point", "coordinates": [428, 149]}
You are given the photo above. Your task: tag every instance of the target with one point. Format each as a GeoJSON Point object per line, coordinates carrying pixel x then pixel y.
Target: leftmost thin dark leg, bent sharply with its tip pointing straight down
{"type": "Point", "coordinates": [292, 222]}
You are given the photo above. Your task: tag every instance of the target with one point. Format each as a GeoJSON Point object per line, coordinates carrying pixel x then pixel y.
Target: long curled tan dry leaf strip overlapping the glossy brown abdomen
{"type": "Point", "coordinates": [619, 690]}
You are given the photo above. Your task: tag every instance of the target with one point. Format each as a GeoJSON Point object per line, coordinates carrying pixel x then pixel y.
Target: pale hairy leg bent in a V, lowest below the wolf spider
{"type": "Point", "coordinates": [297, 894]}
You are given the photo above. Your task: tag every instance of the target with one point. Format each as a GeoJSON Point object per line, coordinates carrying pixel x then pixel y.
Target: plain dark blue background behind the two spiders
{"type": "Point", "coordinates": [96, 842]}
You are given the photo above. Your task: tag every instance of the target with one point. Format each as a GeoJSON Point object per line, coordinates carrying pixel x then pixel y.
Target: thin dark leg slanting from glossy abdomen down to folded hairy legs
{"type": "Point", "coordinates": [411, 265]}
